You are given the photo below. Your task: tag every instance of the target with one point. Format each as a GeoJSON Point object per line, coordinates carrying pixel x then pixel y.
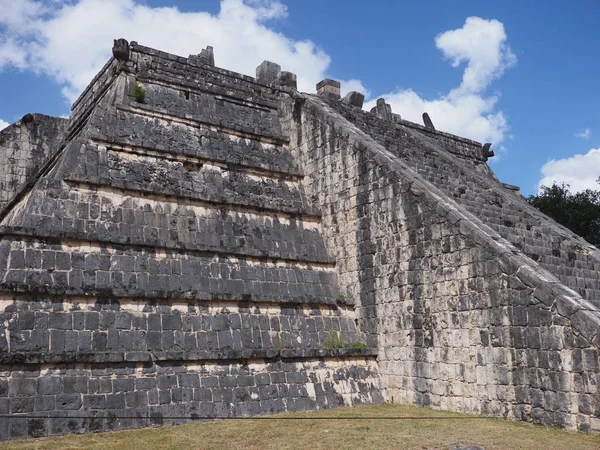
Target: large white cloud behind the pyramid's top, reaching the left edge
{"type": "Point", "coordinates": [70, 40]}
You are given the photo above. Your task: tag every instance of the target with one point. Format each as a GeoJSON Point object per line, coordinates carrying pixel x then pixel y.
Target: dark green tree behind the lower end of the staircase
{"type": "Point", "coordinates": [579, 212]}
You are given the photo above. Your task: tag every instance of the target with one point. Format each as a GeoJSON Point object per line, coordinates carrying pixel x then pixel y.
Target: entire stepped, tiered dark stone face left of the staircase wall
{"type": "Point", "coordinates": [166, 266]}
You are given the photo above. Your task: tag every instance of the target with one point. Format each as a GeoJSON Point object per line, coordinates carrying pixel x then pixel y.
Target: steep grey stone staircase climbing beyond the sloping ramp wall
{"type": "Point", "coordinates": [573, 261]}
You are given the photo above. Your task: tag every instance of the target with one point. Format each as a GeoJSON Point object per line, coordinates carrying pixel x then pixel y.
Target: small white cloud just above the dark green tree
{"type": "Point", "coordinates": [580, 172]}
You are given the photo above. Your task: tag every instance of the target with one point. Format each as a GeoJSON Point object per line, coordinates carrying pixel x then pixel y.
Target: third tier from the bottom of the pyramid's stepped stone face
{"type": "Point", "coordinates": [81, 268]}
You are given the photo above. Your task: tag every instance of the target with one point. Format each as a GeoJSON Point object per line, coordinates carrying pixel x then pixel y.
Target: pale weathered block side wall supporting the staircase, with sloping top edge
{"type": "Point", "coordinates": [463, 321]}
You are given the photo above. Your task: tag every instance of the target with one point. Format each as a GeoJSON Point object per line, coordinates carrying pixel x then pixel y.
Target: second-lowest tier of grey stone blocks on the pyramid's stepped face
{"type": "Point", "coordinates": [93, 330]}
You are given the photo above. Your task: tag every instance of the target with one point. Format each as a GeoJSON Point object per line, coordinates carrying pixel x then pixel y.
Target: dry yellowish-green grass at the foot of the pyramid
{"type": "Point", "coordinates": [382, 427]}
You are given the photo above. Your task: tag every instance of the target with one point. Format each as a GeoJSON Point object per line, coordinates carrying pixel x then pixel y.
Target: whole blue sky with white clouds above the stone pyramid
{"type": "Point", "coordinates": [520, 74]}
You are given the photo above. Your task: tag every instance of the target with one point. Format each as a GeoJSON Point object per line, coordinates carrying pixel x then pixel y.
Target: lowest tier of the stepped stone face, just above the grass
{"type": "Point", "coordinates": [92, 397]}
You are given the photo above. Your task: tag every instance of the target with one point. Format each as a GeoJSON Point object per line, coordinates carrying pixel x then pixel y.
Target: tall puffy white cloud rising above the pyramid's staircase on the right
{"type": "Point", "coordinates": [464, 111]}
